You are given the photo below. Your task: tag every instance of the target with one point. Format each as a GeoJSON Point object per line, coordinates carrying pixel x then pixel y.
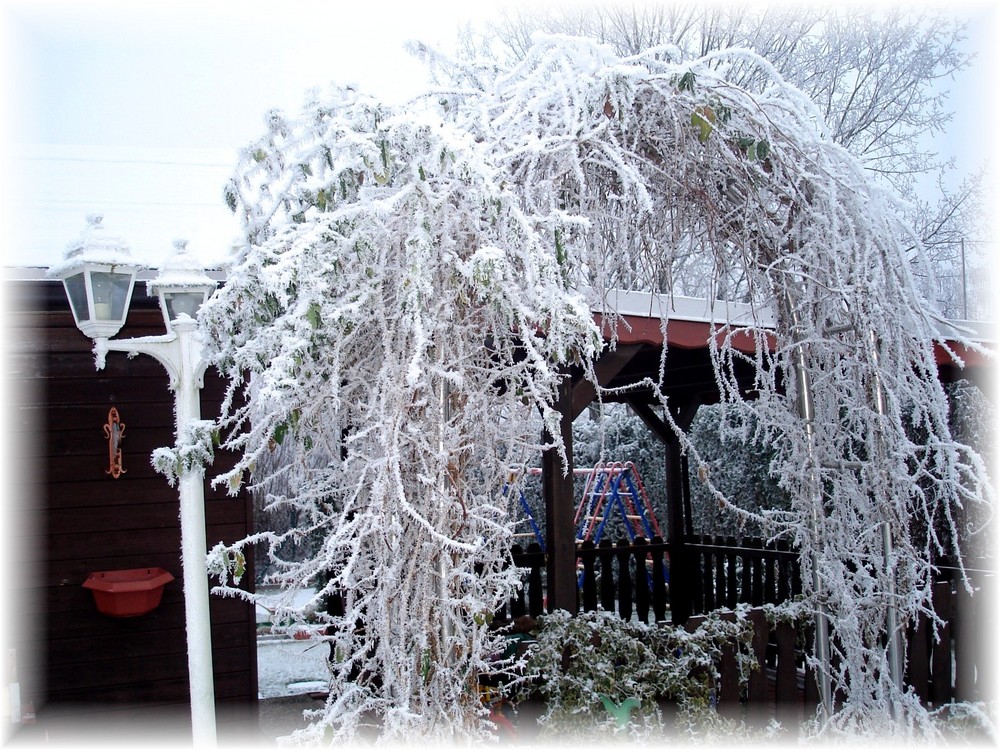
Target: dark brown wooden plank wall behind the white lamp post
{"type": "Point", "coordinates": [73, 518]}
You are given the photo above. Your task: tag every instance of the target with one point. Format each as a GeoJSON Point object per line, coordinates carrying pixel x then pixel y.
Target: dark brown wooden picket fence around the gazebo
{"type": "Point", "coordinates": [944, 664]}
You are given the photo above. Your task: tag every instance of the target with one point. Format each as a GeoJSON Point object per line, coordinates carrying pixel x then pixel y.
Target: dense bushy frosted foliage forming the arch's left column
{"type": "Point", "coordinates": [394, 316]}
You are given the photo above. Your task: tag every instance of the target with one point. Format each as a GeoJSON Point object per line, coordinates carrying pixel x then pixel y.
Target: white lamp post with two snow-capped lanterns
{"type": "Point", "coordinates": [99, 276]}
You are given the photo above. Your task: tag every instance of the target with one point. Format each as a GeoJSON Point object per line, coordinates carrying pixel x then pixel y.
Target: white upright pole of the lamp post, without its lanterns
{"type": "Point", "coordinates": [197, 617]}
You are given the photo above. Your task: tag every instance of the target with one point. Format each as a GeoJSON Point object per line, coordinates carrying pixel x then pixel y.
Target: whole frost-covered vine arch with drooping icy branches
{"type": "Point", "coordinates": [413, 280]}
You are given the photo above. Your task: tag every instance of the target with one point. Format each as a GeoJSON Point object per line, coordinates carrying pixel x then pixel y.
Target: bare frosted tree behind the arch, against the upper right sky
{"type": "Point", "coordinates": [879, 78]}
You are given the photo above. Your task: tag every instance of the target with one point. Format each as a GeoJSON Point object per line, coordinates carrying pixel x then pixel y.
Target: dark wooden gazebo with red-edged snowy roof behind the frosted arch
{"type": "Point", "coordinates": [674, 333]}
